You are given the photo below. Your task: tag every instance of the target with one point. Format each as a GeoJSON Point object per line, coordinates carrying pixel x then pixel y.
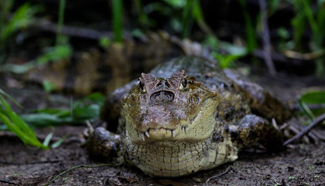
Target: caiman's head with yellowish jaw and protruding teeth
{"type": "Point", "coordinates": [176, 108]}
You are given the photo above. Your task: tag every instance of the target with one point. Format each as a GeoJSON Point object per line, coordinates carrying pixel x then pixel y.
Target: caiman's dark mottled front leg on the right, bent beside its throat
{"type": "Point", "coordinates": [251, 129]}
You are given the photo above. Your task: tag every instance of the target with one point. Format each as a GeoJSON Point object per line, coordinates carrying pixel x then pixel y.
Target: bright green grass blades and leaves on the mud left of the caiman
{"type": "Point", "coordinates": [80, 111]}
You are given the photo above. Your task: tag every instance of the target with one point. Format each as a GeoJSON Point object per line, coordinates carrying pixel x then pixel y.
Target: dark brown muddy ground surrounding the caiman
{"type": "Point", "coordinates": [301, 164]}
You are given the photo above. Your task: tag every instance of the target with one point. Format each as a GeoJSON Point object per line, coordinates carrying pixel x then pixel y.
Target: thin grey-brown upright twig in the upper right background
{"type": "Point", "coordinates": [266, 38]}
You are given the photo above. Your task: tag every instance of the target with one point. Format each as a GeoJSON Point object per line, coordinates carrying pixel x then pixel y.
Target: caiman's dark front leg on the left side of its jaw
{"type": "Point", "coordinates": [104, 144]}
